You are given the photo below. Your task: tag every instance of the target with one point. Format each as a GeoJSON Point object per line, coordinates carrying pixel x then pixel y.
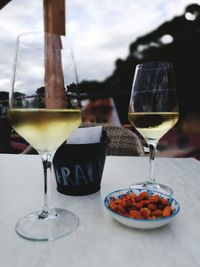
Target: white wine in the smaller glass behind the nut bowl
{"type": "Point", "coordinates": [153, 125]}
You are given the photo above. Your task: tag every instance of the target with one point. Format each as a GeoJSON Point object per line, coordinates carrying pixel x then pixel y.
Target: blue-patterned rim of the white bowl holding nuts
{"type": "Point", "coordinates": [143, 220]}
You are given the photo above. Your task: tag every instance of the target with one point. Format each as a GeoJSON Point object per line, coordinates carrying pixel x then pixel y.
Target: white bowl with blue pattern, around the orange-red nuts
{"type": "Point", "coordinates": [141, 223]}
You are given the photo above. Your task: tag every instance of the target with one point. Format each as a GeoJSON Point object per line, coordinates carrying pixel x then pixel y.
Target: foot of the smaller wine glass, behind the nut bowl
{"type": "Point", "coordinates": [153, 186]}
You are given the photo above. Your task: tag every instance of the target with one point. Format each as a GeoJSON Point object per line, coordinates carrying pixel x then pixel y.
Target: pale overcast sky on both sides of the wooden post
{"type": "Point", "coordinates": [100, 31]}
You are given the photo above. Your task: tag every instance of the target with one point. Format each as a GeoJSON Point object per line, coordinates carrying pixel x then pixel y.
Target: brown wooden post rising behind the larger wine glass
{"type": "Point", "coordinates": [54, 22]}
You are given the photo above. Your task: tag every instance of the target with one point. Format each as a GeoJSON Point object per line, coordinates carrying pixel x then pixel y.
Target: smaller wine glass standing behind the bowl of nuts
{"type": "Point", "coordinates": [153, 110]}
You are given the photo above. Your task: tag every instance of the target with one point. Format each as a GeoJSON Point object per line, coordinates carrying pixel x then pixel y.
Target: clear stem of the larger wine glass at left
{"type": "Point", "coordinates": [47, 209]}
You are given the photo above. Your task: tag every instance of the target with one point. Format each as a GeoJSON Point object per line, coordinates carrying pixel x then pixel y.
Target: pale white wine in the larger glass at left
{"type": "Point", "coordinates": [45, 129]}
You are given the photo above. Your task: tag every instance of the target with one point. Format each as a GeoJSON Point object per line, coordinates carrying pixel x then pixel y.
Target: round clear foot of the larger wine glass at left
{"type": "Point", "coordinates": [43, 227]}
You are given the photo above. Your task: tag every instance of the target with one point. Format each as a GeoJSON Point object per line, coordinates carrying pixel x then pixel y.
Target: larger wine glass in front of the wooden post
{"type": "Point", "coordinates": [44, 72]}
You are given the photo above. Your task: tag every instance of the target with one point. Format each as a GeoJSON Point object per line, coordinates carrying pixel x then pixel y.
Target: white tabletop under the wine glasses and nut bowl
{"type": "Point", "coordinates": [99, 240]}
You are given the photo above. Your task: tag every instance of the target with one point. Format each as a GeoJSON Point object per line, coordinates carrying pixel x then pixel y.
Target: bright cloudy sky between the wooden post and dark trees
{"type": "Point", "coordinates": [104, 29]}
